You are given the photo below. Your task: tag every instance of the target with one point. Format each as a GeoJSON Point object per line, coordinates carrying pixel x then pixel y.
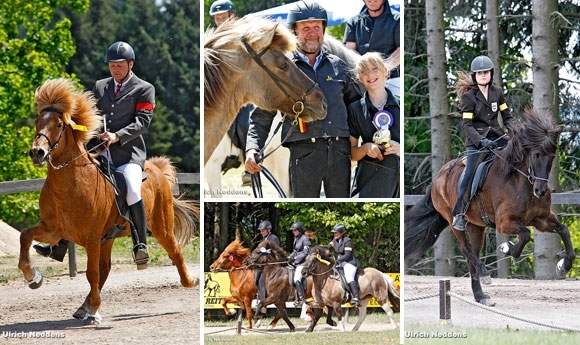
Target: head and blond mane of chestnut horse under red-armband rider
{"type": "Point", "coordinates": [64, 112]}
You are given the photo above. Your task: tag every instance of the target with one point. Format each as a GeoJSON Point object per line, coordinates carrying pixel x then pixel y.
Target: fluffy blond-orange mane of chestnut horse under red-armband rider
{"type": "Point", "coordinates": [77, 106]}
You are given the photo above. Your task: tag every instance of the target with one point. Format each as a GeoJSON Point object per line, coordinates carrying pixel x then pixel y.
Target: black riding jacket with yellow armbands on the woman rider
{"type": "Point", "coordinates": [480, 115]}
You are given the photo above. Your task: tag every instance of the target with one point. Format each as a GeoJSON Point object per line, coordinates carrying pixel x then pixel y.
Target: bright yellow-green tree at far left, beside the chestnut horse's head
{"type": "Point", "coordinates": [36, 44]}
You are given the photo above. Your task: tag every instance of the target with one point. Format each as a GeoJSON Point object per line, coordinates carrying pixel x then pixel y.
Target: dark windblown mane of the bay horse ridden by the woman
{"type": "Point", "coordinates": [536, 133]}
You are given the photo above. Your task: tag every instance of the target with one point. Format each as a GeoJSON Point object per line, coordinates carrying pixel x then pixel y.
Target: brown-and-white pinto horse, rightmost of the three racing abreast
{"type": "Point", "coordinates": [328, 290]}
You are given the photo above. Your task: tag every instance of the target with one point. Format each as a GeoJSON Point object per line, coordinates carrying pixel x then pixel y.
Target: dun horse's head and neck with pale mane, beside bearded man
{"type": "Point", "coordinates": [246, 60]}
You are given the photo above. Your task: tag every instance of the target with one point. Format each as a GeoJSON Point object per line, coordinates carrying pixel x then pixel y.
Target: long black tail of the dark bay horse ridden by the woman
{"type": "Point", "coordinates": [423, 224]}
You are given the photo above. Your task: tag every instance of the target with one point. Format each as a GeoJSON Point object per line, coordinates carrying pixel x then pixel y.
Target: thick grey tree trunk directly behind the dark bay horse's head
{"type": "Point", "coordinates": [545, 98]}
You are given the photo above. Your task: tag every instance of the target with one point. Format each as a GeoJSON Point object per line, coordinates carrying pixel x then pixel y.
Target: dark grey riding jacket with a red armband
{"type": "Point", "coordinates": [128, 115]}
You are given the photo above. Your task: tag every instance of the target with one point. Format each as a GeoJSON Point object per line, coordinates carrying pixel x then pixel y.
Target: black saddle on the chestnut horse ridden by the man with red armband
{"type": "Point", "coordinates": [117, 180]}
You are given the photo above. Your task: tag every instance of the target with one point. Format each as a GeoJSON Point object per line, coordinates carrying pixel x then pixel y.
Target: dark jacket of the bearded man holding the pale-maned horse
{"type": "Point", "coordinates": [339, 88]}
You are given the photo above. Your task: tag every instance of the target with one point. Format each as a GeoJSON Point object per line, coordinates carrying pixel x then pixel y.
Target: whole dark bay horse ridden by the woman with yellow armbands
{"type": "Point", "coordinates": [515, 195]}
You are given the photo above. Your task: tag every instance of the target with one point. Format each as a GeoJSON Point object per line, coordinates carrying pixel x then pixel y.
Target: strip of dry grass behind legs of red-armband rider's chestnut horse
{"type": "Point", "coordinates": [120, 256]}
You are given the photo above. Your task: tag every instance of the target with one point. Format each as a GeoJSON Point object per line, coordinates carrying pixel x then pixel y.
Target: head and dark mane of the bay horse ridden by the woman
{"type": "Point", "coordinates": [532, 150]}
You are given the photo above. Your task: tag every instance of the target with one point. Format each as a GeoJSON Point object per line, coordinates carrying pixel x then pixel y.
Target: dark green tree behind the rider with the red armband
{"type": "Point", "coordinates": [167, 56]}
